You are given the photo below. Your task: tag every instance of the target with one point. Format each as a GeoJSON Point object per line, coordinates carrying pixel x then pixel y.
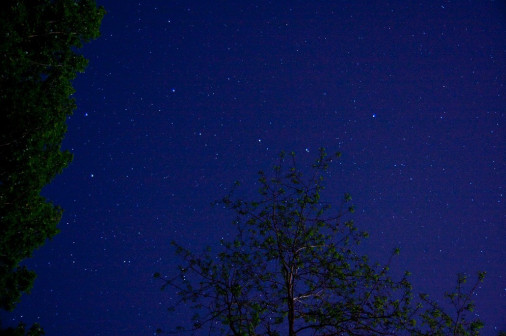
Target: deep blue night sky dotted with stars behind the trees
{"type": "Point", "coordinates": [182, 98]}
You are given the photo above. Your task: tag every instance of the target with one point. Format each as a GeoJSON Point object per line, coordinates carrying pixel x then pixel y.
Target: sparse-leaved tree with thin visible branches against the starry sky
{"type": "Point", "coordinates": [292, 269]}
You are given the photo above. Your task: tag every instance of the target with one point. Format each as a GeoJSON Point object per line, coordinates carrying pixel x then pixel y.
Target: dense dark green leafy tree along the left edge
{"type": "Point", "coordinates": [38, 61]}
